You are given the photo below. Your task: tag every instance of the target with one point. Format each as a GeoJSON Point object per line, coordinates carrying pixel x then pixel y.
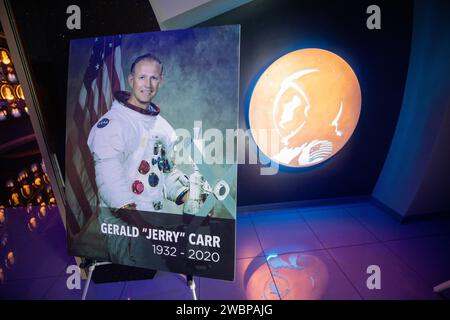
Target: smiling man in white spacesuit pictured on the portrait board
{"type": "Point", "coordinates": [132, 147]}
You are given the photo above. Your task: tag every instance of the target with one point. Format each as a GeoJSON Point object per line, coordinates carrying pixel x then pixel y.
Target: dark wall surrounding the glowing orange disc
{"type": "Point", "coordinates": [270, 29]}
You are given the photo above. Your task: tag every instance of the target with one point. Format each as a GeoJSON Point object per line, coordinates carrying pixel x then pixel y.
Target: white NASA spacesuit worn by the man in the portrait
{"type": "Point", "coordinates": [132, 151]}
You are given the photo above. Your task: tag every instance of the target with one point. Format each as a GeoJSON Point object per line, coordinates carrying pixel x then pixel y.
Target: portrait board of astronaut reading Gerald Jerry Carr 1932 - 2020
{"type": "Point", "coordinates": [150, 178]}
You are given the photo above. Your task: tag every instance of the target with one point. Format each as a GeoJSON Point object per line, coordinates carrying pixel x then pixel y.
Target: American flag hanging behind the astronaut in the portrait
{"type": "Point", "coordinates": [103, 77]}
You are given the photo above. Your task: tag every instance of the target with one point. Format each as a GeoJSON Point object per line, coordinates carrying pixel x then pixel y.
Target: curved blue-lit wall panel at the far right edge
{"type": "Point", "coordinates": [416, 175]}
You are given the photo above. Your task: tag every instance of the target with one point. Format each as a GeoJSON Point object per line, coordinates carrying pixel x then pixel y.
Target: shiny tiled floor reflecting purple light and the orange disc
{"type": "Point", "coordinates": [306, 253]}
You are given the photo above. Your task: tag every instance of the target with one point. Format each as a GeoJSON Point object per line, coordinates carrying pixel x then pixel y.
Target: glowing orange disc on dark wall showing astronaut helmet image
{"type": "Point", "coordinates": [305, 107]}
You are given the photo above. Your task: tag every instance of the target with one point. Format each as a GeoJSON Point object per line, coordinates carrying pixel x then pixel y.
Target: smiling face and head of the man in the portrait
{"type": "Point", "coordinates": [144, 82]}
